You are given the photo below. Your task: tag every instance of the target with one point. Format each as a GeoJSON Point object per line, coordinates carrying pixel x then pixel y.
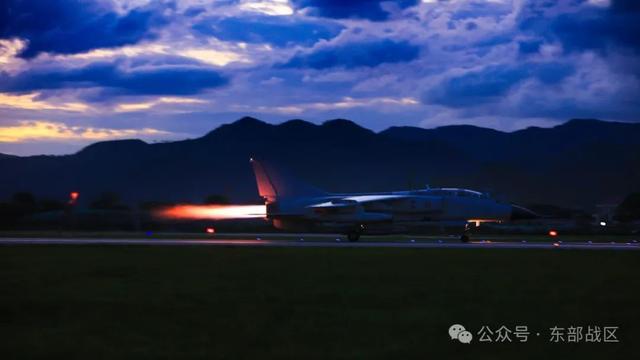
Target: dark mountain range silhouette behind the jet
{"type": "Point", "coordinates": [580, 163]}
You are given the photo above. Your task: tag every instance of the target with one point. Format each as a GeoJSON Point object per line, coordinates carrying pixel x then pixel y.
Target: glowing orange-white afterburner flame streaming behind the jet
{"type": "Point", "coordinates": [213, 212]}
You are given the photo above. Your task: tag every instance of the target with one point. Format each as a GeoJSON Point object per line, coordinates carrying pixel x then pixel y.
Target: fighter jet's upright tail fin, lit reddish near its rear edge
{"type": "Point", "coordinates": [273, 183]}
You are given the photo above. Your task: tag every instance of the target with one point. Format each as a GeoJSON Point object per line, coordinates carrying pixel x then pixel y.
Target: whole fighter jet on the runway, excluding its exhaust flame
{"type": "Point", "coordinates": [297, 206]}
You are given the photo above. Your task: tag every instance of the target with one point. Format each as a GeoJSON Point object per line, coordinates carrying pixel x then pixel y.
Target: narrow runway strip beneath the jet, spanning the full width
{"type": "Point", "coordinates": [301, 243]}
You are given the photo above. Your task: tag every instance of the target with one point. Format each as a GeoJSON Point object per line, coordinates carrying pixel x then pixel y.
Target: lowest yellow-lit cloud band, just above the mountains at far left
{"type": "Point", "coordinates": [39, 130]}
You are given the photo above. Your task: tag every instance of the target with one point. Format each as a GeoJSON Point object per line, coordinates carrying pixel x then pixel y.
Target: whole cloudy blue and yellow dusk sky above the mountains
{"type": "Point", "coordinates": [73, 72]}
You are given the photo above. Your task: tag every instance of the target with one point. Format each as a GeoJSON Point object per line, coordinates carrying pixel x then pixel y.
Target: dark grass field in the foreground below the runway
{"type": "Point", "coordinates": [95, 302]}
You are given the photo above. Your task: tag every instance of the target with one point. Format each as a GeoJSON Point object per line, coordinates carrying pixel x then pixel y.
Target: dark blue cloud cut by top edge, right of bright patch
{"type": "Point", "coordinates": [341, 9]}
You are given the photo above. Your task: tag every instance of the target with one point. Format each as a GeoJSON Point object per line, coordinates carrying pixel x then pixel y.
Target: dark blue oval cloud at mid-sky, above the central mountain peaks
{"type": "Point", "coordinates": [353, 55]}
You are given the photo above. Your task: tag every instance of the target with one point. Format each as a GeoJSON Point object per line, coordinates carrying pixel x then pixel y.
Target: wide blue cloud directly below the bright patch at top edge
{"type": "Point", "coordinates": [278, 31]}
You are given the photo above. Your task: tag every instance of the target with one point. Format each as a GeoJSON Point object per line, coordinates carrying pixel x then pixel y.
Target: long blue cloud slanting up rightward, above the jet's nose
{"type": "Point", "coordinates": [492, 83]}
